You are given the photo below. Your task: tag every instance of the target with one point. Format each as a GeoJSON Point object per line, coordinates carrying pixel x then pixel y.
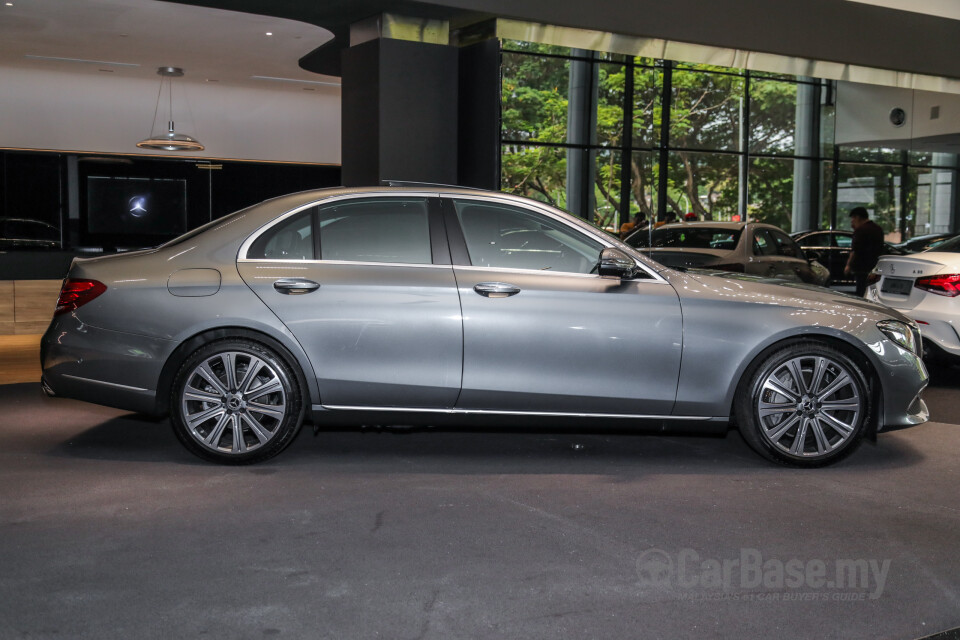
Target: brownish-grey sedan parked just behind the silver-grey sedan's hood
{"type": "Point", "coordinates": [744, 247]}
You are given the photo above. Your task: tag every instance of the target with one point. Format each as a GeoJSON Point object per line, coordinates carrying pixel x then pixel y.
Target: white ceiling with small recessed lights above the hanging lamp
{"type": "Point", "coordinates": [138, 36]}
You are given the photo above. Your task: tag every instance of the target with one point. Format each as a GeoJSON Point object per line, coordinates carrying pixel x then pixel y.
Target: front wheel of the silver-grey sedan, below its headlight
{"type": "Point", "coordinates": [816, 425]}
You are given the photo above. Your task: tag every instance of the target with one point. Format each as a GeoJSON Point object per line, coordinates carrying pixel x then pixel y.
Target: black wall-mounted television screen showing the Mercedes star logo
{"type": "Point", "coordinates": [133, 208]}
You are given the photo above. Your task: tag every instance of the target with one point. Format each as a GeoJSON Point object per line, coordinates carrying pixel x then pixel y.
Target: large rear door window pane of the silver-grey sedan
{"type": "Point", "coordinates": [393, 230]}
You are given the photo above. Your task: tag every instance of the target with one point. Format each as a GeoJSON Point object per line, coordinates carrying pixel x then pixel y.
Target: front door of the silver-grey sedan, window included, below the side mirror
{"type": "Point", "coordinates": [542, 332]}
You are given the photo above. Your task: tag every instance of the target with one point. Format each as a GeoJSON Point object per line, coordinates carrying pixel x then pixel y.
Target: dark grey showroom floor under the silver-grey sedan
{"type": "Point", "coordinates": [109, 529]}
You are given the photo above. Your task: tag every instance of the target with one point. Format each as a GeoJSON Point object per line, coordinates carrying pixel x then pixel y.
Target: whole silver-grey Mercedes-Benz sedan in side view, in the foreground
{"type": "Point", "coordinates": [426, 306]}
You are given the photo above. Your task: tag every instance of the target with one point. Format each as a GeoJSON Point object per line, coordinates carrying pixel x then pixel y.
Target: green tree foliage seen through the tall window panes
{"type": "Point", "coordinates": [704, 142]}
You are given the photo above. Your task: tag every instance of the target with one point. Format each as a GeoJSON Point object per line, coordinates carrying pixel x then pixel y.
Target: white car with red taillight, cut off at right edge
{"type": "Point", "coordinates": [926, 287]}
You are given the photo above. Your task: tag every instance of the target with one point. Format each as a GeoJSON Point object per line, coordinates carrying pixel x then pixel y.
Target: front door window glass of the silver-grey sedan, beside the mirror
{"type": "Point", "coordinates": [501, 236]}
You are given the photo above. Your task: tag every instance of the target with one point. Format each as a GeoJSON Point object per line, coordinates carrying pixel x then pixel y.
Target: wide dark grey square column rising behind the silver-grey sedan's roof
{"type": "Point", "coordinates": [399, 112]}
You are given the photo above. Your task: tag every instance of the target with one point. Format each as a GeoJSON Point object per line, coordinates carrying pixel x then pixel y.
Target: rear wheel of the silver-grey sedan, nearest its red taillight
{"type": "Point", "coordinates": [242, 417]}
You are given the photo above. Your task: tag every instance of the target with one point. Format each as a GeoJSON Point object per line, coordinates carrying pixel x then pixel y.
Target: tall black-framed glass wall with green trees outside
{"type": "Point", "coordinates": [609, 137]}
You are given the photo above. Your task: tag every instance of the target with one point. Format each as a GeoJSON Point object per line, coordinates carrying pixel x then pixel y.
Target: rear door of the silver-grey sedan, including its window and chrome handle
{"type": "Point", "coordinates": [366, 286]}
